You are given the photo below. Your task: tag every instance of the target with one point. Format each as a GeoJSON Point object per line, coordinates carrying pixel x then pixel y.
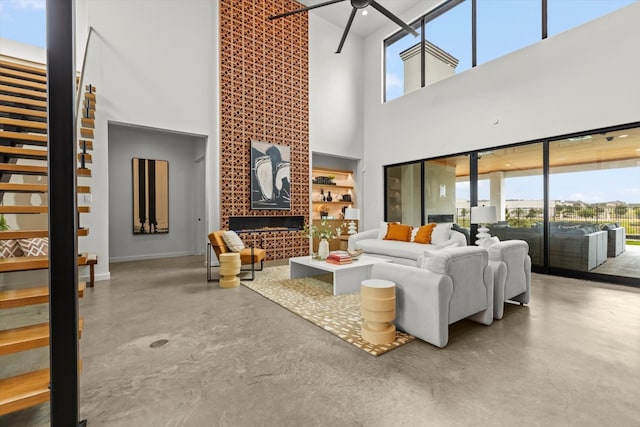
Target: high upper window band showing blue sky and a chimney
{"type": "Point", "coordinates": [451, 46]}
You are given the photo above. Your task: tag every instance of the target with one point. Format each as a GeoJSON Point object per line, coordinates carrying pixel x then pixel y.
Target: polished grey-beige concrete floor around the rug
{"type": "Point", "coordinates": [233, 358]}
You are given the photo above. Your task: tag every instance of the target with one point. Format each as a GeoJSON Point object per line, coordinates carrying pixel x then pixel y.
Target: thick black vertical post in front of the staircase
{"type": "Point", "coordinates": [63, 244]}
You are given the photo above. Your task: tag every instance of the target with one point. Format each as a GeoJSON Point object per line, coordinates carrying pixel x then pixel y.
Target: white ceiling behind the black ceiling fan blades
{"type": "Point", "coordinates": [338, 14]}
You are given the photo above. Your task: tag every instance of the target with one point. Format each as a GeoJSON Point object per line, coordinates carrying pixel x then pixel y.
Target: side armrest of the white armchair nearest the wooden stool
{"type": "Point", "coordinates": [422, 300]}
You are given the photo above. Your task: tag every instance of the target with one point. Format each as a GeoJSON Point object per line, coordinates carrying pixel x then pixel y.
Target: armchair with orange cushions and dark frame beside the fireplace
{"type": "Point", "coordinates": [223, 241]}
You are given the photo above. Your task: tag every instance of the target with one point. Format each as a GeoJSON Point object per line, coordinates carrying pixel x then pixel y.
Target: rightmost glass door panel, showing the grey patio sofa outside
{"type": "Point", "coordinates": [594, 203]}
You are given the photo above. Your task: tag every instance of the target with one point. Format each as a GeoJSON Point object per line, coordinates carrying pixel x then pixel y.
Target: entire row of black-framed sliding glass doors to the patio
{"type": "Point", "coordinates": [588, 223]}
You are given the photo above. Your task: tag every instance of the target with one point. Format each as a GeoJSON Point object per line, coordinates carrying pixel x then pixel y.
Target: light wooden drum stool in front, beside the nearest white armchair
{"type": "Point", "coordinates": [378, 309]}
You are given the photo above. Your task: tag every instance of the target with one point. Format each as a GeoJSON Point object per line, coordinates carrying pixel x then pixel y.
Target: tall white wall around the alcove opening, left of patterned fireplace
{"type": "Point", "coordinates": [154, 65]}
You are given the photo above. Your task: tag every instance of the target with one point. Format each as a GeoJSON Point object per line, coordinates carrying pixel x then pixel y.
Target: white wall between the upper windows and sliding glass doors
{"type": "Point", "coordinates": [582, 79]}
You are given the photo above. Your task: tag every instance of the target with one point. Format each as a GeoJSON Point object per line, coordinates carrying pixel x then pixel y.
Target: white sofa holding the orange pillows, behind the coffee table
{"type": "Point", "coordinates": [407, 253]}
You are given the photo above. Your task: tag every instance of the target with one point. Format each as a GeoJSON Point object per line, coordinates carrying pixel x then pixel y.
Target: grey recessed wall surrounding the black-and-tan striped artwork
{"type": "Point", "coordinates": [180, 151]}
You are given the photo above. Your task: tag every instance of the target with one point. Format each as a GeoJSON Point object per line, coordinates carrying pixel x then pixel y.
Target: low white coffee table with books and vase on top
{"type": "Point", "coordinates": [346, 278]}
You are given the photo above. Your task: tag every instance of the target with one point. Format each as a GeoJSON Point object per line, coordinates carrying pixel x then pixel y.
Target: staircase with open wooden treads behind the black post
{"type": "Point", "coordinates": [23, 200]}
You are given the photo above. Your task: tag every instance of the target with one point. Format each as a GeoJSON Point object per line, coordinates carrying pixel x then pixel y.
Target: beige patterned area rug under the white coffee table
{"type": "Point", "coordinates": [312, 299]}
